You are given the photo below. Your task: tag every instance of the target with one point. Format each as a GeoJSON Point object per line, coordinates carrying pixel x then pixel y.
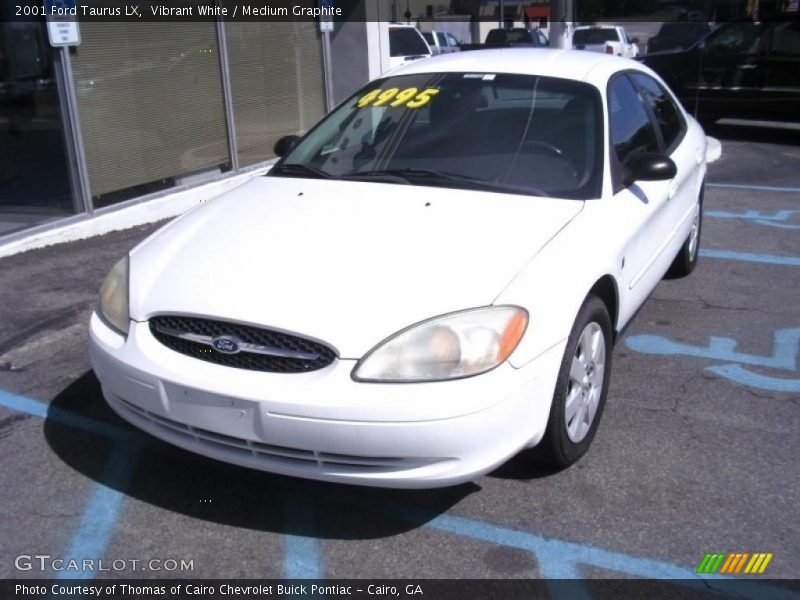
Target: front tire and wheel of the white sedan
{"type": "Point", "coordinates": [568, 434]}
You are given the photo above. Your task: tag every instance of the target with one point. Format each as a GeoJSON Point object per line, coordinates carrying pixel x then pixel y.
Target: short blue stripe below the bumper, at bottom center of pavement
{"type": "Point", "coordinates": [302, 558]}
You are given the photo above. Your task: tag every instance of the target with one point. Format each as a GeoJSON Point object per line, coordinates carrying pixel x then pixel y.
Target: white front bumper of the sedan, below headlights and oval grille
{"type": "Point", "coordinates": [323, 425]}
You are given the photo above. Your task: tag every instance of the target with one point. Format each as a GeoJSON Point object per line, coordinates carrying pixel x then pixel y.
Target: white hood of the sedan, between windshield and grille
{"type": "Point", "coordinates": [348, 263]}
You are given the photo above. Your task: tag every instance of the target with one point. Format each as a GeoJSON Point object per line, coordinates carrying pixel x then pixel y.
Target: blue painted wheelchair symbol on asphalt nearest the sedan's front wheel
{"type": "Point", "coordinates": [785, 350]}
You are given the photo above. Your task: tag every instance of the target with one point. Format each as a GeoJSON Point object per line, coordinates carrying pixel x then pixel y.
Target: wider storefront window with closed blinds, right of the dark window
{"type": "Point", "coordinates": [151, 106]}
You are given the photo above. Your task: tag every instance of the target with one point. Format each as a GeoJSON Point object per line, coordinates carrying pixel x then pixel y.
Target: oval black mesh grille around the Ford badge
{"type": "Point", "coordinates": [173, 331]}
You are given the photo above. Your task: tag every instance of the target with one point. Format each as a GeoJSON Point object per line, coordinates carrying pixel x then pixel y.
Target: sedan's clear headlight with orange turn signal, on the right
{"type": "Point", "coordinates": [446, 347]}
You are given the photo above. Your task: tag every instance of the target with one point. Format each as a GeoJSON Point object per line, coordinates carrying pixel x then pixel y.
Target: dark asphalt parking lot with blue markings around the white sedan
{"type": "Point", "coordinates": [697, 451]}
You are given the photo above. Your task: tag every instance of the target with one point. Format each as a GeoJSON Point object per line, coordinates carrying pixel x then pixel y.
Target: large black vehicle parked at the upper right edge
{"type": "Point", "coordinates": [743, 69]}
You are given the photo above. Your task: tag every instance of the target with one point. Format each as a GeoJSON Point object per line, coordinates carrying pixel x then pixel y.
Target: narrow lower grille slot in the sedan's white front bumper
{"type": "Point", "coordinates": [266, 453]}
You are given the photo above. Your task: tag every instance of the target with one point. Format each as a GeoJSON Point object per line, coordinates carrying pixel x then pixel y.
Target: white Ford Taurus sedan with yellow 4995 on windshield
{"type": "Point", "coordinates": [428, 282]}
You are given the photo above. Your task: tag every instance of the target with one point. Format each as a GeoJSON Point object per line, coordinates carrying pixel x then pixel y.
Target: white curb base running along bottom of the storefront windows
{"type": "Point", "coordinates": [138, 214]}
